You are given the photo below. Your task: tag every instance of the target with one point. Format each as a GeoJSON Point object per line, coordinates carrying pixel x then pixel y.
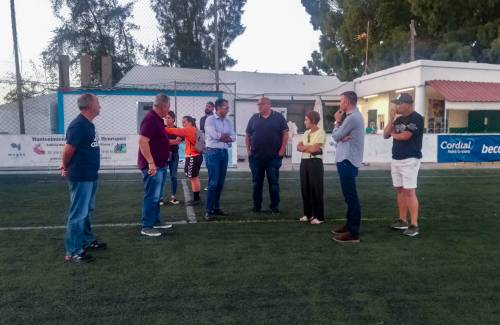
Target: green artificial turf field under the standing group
{"type": "Point", "coordinates": [256, 268]}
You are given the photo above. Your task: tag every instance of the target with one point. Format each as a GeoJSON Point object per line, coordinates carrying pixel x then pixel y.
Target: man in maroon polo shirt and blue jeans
{"type": "Point", "coordinates": [153, 156]}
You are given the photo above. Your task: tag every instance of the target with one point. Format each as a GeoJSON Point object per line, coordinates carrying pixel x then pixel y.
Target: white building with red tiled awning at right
{"type": "Point", "coordinates": [454, 97]}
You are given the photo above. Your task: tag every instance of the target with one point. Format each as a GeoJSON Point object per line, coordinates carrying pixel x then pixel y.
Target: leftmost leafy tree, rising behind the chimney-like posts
{"type": "Point", "coordinates": [97, 28]}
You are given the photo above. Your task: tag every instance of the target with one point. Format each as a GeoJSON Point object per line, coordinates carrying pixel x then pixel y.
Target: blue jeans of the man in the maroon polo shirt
{"type": "Point", "coordinates": [151, 205]}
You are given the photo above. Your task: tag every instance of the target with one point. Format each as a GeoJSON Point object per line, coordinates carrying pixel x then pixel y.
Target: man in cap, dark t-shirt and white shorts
{"type": "Point", "coordinates": [407, 133]}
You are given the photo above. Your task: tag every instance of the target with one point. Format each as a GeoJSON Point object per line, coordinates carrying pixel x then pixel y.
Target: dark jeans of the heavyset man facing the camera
{"type": "Point", "coordinates": [260, 168]}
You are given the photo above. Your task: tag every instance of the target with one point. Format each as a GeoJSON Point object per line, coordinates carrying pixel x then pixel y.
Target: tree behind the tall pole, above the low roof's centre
{"type": "Point", "coordinates": [187, 32]}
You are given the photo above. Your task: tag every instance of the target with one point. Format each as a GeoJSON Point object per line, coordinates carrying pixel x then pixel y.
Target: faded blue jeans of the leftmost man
{"type": "Point", "coordinates": [82, 203]}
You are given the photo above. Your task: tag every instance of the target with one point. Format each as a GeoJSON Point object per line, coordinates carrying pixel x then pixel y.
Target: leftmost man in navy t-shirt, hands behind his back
{"type": "Point", "coordinates": [80, 163]}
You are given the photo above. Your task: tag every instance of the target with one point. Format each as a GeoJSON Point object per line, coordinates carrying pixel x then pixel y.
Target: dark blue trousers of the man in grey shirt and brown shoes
{"type": "Point", "coordinates": [347, 174]}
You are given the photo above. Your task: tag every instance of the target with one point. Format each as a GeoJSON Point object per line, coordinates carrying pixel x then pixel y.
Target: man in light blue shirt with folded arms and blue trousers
{"type": "Point", "coordinates": [219, 135]}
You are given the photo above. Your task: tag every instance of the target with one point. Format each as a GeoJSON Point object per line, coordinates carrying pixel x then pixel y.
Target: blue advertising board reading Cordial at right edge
{"type": "Point", "coordinates": [468, 148]}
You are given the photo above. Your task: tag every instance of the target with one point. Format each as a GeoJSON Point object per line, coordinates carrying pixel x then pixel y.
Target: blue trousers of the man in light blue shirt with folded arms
{"type": "Point", "coordinates": [217, 160]}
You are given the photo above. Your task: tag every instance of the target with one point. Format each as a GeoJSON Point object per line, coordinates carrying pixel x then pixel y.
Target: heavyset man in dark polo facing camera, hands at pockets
{"type": "Point", "coordinates": [266, 139]}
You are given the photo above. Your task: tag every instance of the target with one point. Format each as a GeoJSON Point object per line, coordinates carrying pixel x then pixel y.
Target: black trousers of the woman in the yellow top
{"type": "Point", "coordinates": [311, 184]}
